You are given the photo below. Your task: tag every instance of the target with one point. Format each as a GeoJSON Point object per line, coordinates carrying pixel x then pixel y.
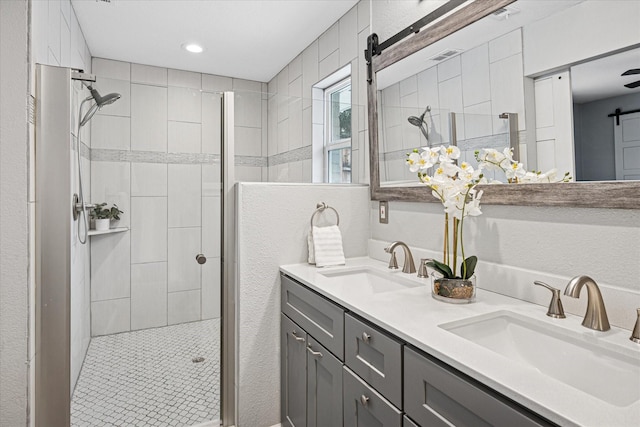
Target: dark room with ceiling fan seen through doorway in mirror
{"type": "Point", "coordinates": [607, 148]}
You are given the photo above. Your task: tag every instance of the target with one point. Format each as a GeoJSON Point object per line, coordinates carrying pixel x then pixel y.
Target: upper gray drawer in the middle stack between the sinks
{"type": "Point", "coordinates": [375, 357]}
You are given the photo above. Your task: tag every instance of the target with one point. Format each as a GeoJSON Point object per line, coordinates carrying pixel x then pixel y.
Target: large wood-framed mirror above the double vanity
{"type": "Point", "coordinates": [508, 35]}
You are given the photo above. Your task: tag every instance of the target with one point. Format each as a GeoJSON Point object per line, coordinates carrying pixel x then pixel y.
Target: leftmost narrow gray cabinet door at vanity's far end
{"type": "Point", "coordinates": [293, 374]}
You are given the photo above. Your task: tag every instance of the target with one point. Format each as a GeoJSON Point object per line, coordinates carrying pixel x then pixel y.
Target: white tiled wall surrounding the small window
{"type": "Point", "coordinates": [294, 118]}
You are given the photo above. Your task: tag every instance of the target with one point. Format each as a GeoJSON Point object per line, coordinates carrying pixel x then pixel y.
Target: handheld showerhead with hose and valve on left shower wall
{"type": "Point", "coordinates": [79, 206]}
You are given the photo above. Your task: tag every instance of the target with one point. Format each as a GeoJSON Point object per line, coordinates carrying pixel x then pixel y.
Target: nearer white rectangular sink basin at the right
{"type": "Point", "coordinates": [579, 360]}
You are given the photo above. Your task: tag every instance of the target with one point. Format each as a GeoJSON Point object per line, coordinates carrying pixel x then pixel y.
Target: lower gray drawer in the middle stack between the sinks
{"type": "Point", "coordinates": [363, 406]}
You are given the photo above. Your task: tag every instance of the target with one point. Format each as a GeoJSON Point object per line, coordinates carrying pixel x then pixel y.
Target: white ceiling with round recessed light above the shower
{"type": "Point", "coordinates": [248, 39]}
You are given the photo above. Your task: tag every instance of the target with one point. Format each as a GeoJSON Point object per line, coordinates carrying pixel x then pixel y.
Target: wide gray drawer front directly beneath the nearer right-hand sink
{"type": "Point", "coordinates": [435, 395]}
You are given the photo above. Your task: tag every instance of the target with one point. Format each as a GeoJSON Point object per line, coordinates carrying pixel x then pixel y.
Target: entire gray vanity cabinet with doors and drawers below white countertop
{"type": "Point", "coordinates": [380, 378]}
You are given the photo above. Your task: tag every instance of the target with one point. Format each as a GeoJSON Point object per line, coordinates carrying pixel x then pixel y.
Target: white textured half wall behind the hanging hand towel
{"type": "Point", "coordinates": [272, 226]}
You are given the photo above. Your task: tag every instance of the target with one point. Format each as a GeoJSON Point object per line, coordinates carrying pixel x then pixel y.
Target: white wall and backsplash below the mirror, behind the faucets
{"type": "Point", "coordinates": [516, 245]}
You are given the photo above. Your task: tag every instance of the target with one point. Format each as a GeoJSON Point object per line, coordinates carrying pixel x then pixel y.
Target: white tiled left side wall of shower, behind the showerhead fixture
{"type": "Point", "coordinates": [58, 40]}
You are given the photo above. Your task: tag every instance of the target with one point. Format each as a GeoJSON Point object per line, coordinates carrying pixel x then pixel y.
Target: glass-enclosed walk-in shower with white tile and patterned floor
{"type": "Point", "coordinates": [129, 324]}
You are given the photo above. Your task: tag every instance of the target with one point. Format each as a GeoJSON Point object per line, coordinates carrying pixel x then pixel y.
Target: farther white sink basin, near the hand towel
{"type": "Point", "coordinates": [370, 280]}
